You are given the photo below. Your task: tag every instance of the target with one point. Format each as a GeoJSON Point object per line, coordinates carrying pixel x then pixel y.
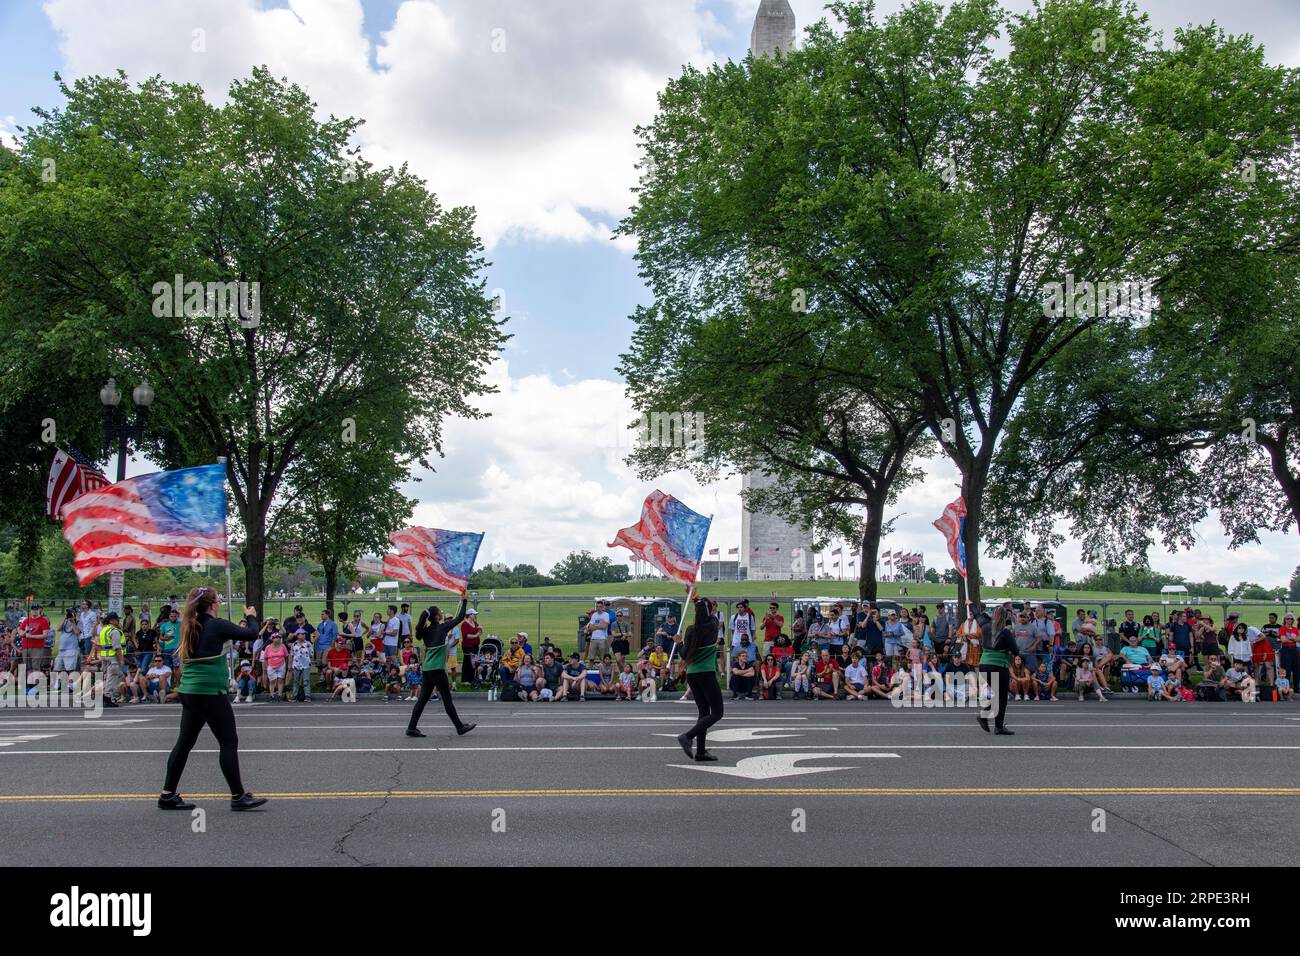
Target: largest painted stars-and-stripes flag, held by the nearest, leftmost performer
{"type": "Point", "coordinates": [168, 520]}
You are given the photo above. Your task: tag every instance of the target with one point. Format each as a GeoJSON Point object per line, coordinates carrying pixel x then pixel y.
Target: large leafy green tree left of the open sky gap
{"type": "Point", "coordinates": [371, 306]}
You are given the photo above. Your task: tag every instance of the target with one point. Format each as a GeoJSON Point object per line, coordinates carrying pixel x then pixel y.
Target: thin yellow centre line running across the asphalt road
{"type": "Point", "coordinates": [686, 791]}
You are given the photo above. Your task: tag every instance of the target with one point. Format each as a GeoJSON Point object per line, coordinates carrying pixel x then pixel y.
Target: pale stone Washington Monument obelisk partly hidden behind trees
{"type": "Point", "coordinates": [770, 547]}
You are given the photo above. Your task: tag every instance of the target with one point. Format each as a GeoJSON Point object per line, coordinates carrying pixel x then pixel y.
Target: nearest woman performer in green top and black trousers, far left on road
{"type": "Point", "coordinates": [205, 700]}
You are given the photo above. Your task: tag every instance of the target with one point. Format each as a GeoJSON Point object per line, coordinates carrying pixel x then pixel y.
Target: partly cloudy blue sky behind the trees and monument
{"type": "Point", "coordinates": [526, 110]}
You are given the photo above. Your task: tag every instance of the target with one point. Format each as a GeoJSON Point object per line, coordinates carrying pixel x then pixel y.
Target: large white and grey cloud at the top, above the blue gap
{"type": "Point", "coordinates": [525, 111]}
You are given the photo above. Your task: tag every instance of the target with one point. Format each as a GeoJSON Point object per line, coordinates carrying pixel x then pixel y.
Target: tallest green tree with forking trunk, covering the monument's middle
{"type": "Point", "coordinates": [937, 192]}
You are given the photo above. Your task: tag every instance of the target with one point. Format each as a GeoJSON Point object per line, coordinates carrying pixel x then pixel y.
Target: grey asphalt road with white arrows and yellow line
{"type": "Point", "coordinates": [604, 784]}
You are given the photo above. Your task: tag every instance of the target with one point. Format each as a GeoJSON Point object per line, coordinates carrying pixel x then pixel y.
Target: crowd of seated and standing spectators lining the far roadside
{"type": "Point", "coordinates": [847, 652]}
